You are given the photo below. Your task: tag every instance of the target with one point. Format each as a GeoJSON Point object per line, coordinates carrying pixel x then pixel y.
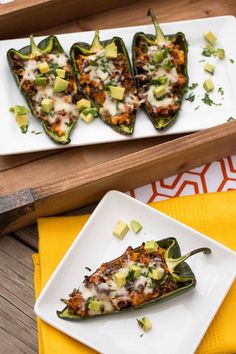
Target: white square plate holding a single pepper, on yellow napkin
{"type": "Point", "coordinates": [184, 318]}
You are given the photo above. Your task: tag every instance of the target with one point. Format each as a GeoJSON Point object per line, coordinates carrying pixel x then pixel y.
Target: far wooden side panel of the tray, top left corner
{"type": "Point", "coordinates": [36, 15]}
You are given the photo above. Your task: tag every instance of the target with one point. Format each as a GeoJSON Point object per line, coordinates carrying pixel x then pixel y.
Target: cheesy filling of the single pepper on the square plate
{"type": "Point", "coordinates": [133, 279]}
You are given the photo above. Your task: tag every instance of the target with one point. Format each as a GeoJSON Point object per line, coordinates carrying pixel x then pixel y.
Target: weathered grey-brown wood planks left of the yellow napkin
{"type": "Point", "coordinates": [18, 333]}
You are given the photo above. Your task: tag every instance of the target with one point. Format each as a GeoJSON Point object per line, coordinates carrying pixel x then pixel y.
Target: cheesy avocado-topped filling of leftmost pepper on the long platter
{"type": "Point", "coordinates": [38, 77]}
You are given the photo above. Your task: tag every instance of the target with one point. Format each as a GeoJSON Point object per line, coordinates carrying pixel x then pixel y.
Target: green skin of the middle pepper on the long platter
{"type": "Point", "coordinates": [86, 49]}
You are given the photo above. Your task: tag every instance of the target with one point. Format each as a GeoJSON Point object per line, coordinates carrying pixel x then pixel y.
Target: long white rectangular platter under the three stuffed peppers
{"type": "Point", "coordinates": [189, 119]}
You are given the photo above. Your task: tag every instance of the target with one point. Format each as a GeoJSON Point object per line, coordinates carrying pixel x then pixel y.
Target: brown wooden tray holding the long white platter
{"type": "Point", "coordinates": [50, 183]}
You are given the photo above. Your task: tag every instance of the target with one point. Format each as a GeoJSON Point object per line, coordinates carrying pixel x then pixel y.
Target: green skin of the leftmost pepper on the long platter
{"type": "Point", "coordinates": [48, 45]}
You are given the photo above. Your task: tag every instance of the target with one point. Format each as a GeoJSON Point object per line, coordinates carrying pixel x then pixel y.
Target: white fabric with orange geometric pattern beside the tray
{"type": "Point", "coordinates": [213, 177]}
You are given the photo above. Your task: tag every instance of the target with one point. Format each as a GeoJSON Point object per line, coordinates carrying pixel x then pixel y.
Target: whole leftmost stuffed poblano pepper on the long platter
{"type": "Point", "coordinates": [44, 75]}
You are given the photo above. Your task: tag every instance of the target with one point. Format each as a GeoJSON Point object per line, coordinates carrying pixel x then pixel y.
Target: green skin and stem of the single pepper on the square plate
{"type": "Point", "coordinates": [178, 268]}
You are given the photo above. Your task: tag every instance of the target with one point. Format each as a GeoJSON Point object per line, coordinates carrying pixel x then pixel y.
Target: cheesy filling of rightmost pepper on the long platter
{"type": "Point", "coordinates": [160, 71]}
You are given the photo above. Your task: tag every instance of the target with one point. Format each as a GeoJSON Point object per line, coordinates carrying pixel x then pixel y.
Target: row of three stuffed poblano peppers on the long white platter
{"type": "Point", "coordinates": [98, 80]}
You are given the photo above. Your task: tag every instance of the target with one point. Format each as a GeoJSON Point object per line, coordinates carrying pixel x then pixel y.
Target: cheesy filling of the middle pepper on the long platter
{"type": "Point", "coordinates": [98, 74]}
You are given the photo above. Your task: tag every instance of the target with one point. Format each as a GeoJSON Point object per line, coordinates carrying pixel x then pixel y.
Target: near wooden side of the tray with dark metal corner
{"type": "Point", "coordinates": [122, 174]}
